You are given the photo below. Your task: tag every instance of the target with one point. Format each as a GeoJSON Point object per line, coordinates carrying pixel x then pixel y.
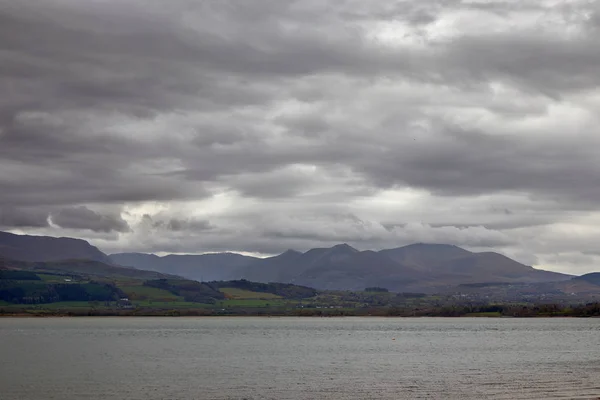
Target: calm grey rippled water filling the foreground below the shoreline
{"type": "Point", "coordinates": [298, 358]}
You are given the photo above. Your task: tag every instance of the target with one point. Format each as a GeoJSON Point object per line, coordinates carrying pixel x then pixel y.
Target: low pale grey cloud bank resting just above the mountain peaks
{"type": "Point", "coordinates": [276, 232]}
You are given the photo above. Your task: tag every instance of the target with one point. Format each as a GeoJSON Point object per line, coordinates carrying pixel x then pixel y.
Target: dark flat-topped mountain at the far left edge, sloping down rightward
{"type": "Point", "coordinates": [46, 248]}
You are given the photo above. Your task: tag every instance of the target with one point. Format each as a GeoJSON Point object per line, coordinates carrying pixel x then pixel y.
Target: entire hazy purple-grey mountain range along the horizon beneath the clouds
{"type": "Point", "coordinates": [416, 267]}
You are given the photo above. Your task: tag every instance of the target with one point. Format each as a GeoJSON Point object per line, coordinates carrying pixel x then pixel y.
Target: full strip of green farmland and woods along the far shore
{"type": "Point", "coordinates": [50, 292]}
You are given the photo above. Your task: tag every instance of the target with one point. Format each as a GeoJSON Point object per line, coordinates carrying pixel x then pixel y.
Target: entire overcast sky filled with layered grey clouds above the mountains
{"type": "Point", "coordinates": [256, 126]}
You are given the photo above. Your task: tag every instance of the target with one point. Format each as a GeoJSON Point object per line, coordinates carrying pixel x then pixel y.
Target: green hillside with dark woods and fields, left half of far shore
{"type": "Point", "coordinates": [69, 288]}
